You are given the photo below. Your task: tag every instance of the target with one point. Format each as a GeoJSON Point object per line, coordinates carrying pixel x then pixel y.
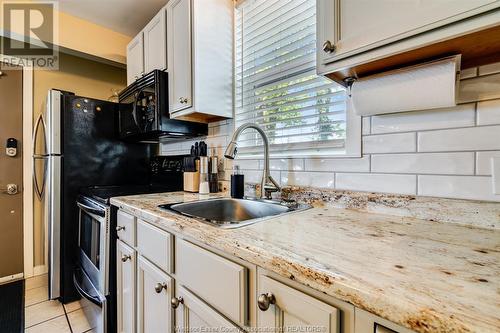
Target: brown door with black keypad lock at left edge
{"type": "Point", "coordinates": [11, 173]}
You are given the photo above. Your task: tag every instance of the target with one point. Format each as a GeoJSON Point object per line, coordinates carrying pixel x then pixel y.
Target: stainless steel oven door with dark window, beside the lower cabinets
{"type": "Point", "coordinates": [93, 242]}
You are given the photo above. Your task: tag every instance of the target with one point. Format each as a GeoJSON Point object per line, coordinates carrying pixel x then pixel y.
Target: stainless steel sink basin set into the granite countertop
{"type": "Point", "coordinates": [234, 213]}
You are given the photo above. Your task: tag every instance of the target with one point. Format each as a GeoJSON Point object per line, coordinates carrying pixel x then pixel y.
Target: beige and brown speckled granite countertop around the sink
{"type": "Point", "coordinates": [427, 276]}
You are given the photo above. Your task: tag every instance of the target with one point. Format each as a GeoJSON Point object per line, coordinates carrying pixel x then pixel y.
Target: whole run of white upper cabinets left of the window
{"type": "Point", "coordinates": [193, 41]}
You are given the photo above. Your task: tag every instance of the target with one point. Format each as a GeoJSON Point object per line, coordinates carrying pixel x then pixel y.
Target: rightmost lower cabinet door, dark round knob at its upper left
{"type": "Point", "coordinates": [289, 310]}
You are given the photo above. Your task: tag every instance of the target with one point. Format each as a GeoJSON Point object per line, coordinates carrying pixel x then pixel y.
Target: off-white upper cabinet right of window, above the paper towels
{"type": "Point", "coordinates": [355, 32]}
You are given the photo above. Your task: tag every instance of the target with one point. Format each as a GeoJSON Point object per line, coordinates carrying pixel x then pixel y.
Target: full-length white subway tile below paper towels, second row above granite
{"type": "Point", "coordinates": [425, 163]}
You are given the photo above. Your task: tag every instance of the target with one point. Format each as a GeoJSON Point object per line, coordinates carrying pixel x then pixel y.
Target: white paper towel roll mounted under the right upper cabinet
{"type": "Point", "coordinates": [427, 86]}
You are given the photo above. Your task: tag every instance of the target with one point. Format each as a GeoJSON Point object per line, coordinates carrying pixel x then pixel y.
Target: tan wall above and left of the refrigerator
{"type": "Point", "coordinates": [84, 78]}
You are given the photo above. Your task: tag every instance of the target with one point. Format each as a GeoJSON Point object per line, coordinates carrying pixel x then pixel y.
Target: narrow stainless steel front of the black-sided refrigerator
{"type": "Point", "coordinates": [53, 191]}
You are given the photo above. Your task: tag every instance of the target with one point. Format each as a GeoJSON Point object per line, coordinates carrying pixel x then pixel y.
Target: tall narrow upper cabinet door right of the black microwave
{"type": "Point", "coordinates": [180, 68]}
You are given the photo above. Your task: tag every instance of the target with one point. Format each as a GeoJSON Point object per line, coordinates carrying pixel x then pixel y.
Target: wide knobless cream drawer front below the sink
{"type": "Point", "coordinates": [218, 281]}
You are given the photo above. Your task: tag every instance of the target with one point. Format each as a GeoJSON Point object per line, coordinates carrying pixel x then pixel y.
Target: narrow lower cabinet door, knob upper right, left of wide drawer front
{"type": "Point", "coordinates": [154, 292]}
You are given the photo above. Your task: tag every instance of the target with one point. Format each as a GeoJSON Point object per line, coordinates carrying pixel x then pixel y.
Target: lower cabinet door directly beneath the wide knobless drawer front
{"type": "Point", "coordinates": [193, 315]}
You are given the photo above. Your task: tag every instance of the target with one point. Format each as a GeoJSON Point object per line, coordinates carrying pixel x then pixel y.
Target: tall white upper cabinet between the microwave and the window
{"type": "Point", "coordinates": [200, 55]}
